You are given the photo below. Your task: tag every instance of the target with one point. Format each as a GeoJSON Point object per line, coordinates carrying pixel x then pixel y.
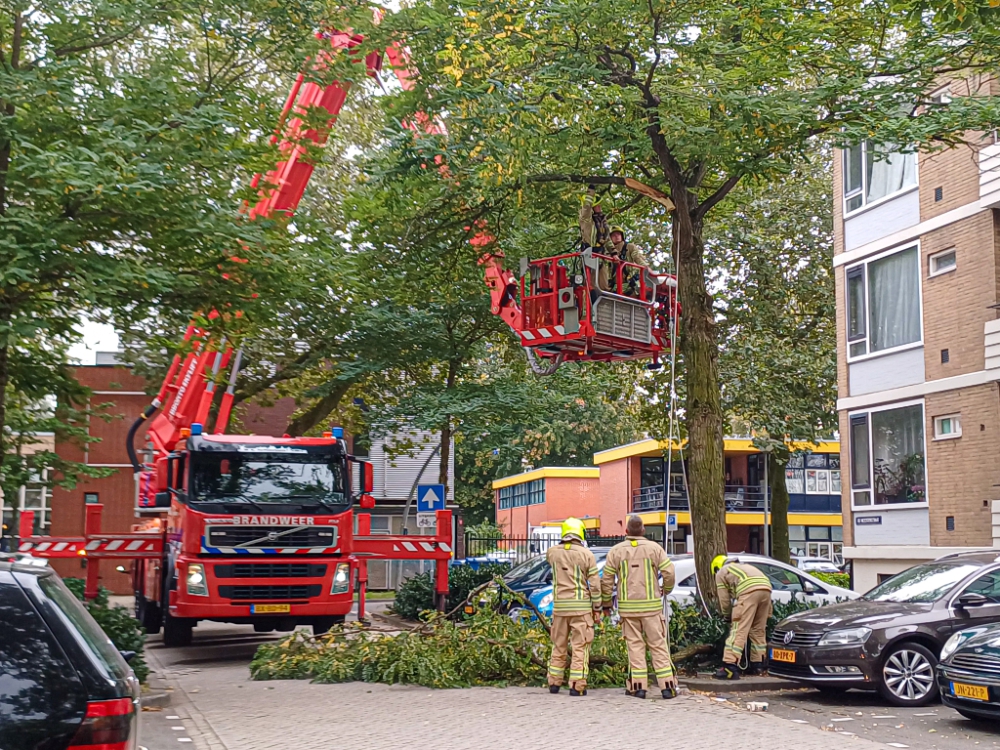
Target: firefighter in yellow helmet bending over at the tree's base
{"type": "Point", "coordinates": [751, 590]}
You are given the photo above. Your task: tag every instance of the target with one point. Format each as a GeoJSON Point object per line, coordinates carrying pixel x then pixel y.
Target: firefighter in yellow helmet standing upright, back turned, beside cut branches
{"type": "Point", "coordinates": [576, 602]}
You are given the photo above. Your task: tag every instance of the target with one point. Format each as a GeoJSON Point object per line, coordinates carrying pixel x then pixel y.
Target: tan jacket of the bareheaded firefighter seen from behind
{"type": "Point", "coordinates": [638, 565]}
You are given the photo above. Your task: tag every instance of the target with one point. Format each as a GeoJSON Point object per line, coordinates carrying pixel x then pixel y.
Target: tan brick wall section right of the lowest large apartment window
{"type": "Point", "coordinates": [963, 473]}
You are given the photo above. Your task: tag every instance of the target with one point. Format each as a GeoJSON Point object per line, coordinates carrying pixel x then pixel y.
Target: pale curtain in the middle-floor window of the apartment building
{"type": "Point", "coordinates": [894, 297]}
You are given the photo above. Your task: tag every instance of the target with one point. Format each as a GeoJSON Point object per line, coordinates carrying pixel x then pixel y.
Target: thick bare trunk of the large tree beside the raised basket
{"type": "Point", "coordinates": [700, 350]}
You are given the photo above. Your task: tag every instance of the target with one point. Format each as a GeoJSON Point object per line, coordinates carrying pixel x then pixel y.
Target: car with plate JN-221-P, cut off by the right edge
{"type": "Point", "coordinates": [969, 672]}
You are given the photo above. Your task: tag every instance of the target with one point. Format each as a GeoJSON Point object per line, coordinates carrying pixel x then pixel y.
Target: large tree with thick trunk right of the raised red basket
{"type": "Point", "coordinates": [694, 98]}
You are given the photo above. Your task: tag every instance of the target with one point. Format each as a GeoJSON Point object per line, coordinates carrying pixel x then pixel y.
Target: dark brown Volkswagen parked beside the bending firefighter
{"type": "Point", "coordinates": [890, 639]}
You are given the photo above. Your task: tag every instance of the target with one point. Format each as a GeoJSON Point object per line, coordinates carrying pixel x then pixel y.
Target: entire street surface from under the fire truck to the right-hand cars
{"type": "Point", "coordinates": [217, 707]}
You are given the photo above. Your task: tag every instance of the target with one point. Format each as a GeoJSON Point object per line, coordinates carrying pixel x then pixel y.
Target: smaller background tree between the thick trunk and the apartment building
{"type": "Point", "coordinates": [773, 258]}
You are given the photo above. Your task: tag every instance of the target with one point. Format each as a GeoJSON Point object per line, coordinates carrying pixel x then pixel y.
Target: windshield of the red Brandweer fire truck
{"type": "Point", "coordinates": [304, 480]}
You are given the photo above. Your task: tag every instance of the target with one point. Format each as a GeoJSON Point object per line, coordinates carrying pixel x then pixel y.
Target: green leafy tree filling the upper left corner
{"type": "Point", "coordinates": [124, 129]}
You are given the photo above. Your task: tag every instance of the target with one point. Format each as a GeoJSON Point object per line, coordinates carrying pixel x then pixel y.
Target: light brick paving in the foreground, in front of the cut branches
{"type": "Point", "coordinates": [223, 709]}
